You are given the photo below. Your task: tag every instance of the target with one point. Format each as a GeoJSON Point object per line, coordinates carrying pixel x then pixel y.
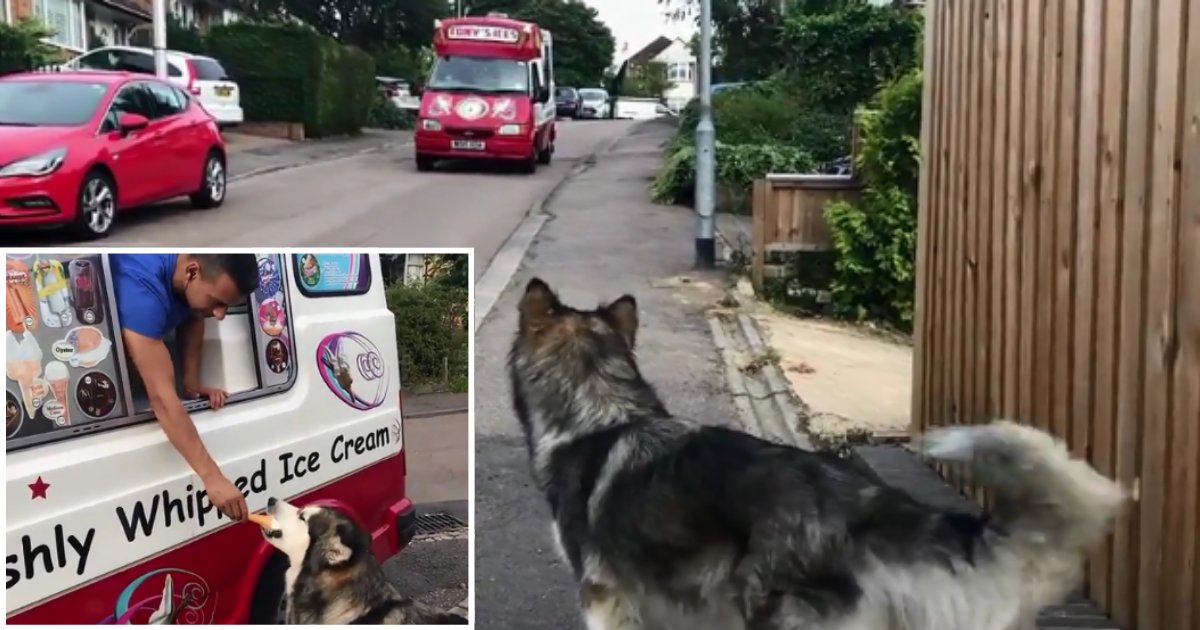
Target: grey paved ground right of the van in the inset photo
{"type": "Point", "coordinates": [435, 567]}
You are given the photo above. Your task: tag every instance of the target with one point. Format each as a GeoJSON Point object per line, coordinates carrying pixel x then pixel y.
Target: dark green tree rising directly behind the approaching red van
{"type": "Point", "coordinates": [584, 46]}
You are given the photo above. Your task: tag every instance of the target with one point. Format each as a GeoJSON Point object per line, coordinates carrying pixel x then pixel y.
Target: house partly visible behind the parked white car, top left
{"type": "Point", "coordinates": [83, 25]}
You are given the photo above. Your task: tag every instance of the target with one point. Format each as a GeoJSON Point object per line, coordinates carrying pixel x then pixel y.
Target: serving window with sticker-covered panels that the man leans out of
{"type": "Point", "coordinates": [67, 370]}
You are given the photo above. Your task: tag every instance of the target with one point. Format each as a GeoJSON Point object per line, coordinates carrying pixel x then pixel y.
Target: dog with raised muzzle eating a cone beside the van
{"type": "Point", "coordinates": [333, 578]}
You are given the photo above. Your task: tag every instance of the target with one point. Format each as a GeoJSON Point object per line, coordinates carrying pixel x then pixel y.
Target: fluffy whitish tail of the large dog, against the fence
{"type": "Point", "coordinates": [1043, 495]}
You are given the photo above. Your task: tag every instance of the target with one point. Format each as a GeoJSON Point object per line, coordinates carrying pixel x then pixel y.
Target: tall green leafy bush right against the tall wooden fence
{"type": "Point", "coordinates": [877, 243]}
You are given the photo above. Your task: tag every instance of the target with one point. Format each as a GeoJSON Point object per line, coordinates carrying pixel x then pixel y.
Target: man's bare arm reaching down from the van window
{"type": "Point", "coordinates": [158, 371]}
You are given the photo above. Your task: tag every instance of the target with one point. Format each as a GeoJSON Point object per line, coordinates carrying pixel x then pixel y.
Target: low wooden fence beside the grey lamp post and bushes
{"type": "Point", "coordinates": [789, 215]}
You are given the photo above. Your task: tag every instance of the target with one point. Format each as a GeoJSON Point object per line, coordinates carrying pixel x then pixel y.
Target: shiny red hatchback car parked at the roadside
{"type": "Point", "coordinates": [77, 148]}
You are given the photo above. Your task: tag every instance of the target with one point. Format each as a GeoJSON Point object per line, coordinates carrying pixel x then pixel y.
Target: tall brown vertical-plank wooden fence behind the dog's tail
{"type": "Point", "coordinates": [1059, 259]}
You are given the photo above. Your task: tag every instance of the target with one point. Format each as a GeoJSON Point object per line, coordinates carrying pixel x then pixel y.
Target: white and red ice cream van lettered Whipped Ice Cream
{"type": "Point", "coordinates": [107, 525]}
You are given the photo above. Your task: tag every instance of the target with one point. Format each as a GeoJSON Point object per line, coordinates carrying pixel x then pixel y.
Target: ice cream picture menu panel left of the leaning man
{"type": "Point", "coordinates": [61, 353]}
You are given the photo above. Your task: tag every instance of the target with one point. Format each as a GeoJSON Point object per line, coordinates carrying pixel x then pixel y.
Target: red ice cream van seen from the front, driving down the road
{"type": "Point", "coordinates": [489, 94]}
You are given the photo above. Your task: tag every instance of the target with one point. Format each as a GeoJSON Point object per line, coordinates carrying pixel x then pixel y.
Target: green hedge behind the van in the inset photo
{"type": "Point", "coordinates": [431, 334]}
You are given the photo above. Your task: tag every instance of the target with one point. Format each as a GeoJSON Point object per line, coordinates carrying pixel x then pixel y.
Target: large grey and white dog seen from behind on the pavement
{"type": "Point", "coordinates": [668, 524]}
